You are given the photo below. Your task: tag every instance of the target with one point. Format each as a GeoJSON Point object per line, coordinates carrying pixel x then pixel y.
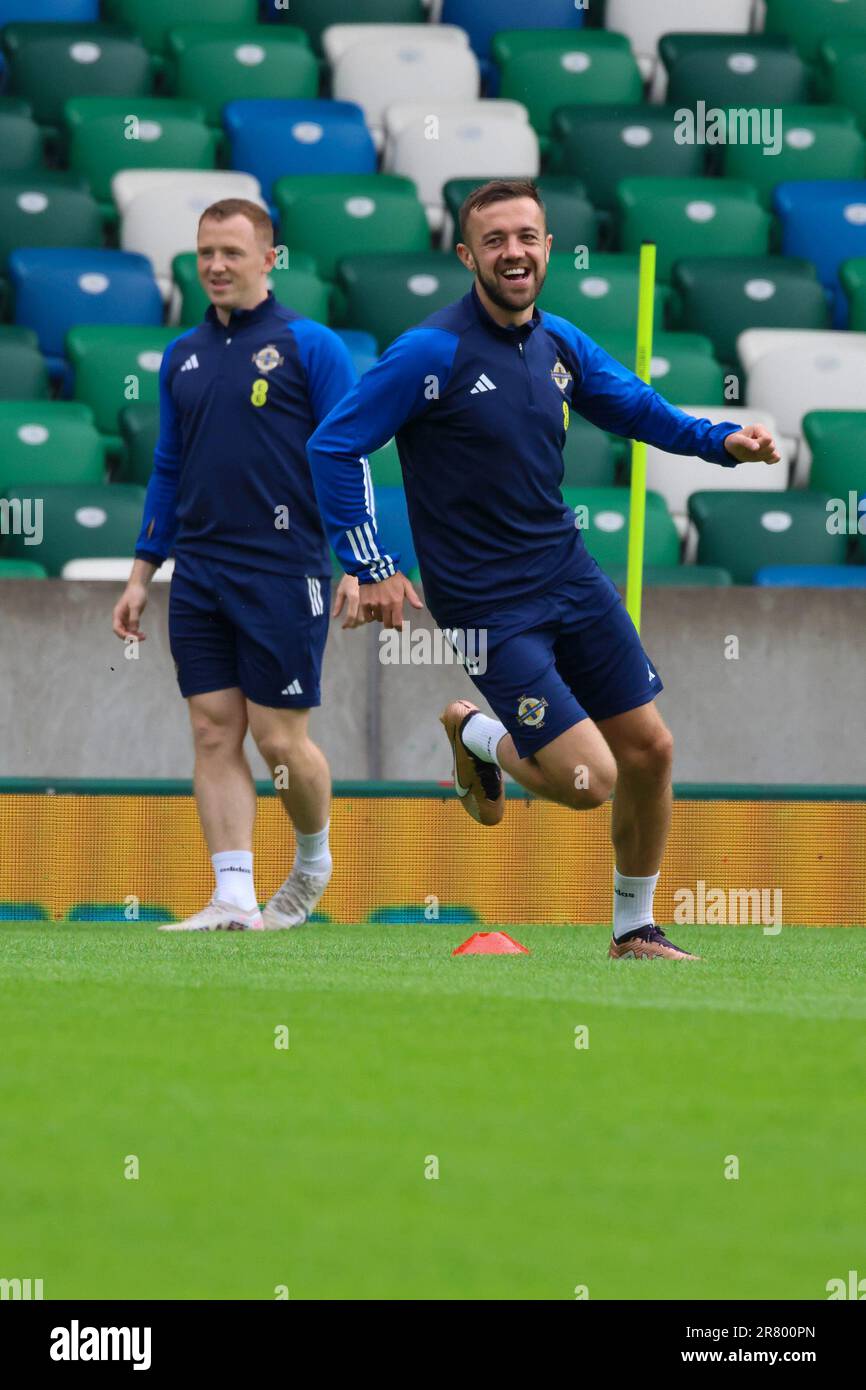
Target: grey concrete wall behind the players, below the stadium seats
{"type": "Point", "coordinates": [790, 710]}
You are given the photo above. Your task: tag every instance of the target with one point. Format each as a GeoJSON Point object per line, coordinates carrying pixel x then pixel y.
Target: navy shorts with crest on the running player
{"type": "Point", "coordinates": [554, 661]}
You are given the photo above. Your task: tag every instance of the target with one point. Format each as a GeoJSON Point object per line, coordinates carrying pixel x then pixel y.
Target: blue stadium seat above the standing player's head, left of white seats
{"type": "Point", "coordinates": [272, 138]}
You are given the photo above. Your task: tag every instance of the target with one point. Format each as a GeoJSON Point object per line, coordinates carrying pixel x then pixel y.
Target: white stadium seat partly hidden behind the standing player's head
{"type": "Point", "coordinates": [162, 222]}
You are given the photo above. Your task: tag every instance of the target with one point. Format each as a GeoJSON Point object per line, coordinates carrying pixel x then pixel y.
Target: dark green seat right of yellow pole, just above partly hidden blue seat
{"type": "Point", "coordinates": [744, 532]}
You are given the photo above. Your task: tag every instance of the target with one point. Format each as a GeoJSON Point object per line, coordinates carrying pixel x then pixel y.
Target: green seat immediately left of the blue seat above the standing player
{"type": "Point", "coordinates": [172, 134]}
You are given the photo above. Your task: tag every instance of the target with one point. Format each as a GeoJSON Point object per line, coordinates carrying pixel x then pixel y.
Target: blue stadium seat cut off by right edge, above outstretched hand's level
{"type": "Point", "coordinates": [825, 222]}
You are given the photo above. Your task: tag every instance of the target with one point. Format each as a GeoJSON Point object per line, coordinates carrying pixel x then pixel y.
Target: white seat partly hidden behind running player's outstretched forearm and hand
{"type": "Point", "coordinates": [678, 476]}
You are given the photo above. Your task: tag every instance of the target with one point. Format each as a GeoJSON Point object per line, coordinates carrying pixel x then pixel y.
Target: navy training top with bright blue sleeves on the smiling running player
{"type": "Point", "coordinates": [480, 415]}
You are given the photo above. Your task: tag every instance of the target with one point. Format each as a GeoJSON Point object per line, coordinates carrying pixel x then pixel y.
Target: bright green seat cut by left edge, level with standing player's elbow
{"type": "Point", "coordinates": [44, 443]}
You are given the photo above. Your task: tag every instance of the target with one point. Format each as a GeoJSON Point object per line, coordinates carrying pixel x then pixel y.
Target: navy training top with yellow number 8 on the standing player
{"type": "Point", "coordinates": [238, 404]}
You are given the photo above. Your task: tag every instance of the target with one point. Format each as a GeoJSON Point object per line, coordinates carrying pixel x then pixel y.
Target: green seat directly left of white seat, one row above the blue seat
{"type": "Point", "coordinates": [215, 66]}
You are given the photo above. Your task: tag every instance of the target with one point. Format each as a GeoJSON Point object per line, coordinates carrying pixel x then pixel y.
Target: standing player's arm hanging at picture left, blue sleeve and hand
{"type": "Point", "coordinates": [161, 522]}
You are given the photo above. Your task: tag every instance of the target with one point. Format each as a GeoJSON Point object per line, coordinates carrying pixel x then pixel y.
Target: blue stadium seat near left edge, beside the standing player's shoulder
{"type": "Point", "coordinates": [56, 290]}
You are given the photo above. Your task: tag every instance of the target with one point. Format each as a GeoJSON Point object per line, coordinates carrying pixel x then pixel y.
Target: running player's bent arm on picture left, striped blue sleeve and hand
{"type": "Point", "coordinates": [397, 390]}
